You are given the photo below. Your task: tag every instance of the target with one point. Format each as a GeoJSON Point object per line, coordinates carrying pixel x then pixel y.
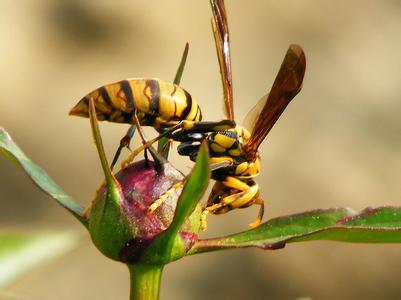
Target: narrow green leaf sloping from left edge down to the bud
{"type": "Point", "coordinates": [39, 176]}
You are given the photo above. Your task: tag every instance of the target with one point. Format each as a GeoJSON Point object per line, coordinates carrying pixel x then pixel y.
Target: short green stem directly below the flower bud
{"type": "Point", "coordinates": [145, 281]}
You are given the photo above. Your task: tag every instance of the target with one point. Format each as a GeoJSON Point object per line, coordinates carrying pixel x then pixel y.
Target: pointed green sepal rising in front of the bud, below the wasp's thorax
{"type": "Point", "coordinates": [193, 190]}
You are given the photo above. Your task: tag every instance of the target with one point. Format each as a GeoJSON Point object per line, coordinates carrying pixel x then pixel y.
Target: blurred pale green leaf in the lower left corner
{"type": "Point", "coordinates": [21, 252]}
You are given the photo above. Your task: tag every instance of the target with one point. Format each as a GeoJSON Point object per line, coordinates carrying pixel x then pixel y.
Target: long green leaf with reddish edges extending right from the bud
{"type": "Point", "coordinates": [372, 225]}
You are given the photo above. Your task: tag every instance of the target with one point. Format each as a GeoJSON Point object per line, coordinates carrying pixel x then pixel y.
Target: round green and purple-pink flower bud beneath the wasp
{"type": "Point", "coordinates": [124, 222]}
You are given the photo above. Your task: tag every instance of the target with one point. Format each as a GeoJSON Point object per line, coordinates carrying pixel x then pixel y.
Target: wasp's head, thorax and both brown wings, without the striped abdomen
{"type": "Point", "coordinates": [235, 186]}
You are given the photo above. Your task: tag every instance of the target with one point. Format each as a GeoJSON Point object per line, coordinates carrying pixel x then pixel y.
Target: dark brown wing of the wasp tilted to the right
{"type": "Point", "coordinates": [286, 86]}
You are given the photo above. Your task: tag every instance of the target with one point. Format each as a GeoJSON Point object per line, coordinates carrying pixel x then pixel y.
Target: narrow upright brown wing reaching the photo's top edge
{"type": "Point", "coordinates": [222, 41]}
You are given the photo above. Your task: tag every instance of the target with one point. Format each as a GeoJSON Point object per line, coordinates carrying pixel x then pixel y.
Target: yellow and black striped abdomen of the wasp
{"type": "Point", "coordinates": [156, 102]}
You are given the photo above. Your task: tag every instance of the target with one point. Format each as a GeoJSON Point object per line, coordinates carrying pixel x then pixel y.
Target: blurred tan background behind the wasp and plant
{"type": "Point", "coordinates": [337, 144]}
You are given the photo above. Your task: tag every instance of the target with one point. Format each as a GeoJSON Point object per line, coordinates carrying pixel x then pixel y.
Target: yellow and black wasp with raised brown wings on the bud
{"type": "Point", "coordinates": [233, 150]}
